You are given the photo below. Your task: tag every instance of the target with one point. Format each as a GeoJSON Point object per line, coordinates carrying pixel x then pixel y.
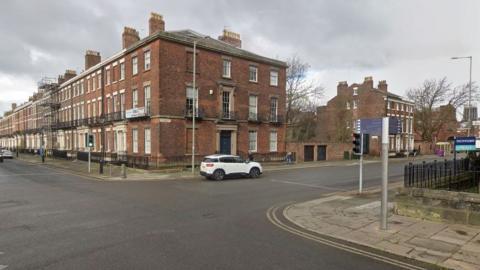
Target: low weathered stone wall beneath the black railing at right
{"type": "Point", "coordinates": [439, 205]}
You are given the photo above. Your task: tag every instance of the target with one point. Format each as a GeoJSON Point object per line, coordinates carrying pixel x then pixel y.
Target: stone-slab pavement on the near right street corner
{"type": "Point", "coordinates": [355, 219]}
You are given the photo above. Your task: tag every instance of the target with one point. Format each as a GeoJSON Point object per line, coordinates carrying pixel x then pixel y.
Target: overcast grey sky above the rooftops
{"type": "Point", "coordinates": [403, 42]}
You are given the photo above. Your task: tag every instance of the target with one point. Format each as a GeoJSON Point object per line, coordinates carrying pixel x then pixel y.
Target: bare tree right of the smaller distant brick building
{"type": "Point", "coordinates": [434, 101]}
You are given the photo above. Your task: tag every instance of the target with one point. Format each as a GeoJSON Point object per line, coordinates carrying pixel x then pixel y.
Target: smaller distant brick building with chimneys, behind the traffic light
{"type": "Point", "coordinates": [337, 120]}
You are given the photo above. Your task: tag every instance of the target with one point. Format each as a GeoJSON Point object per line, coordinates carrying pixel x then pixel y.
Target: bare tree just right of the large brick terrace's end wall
{"type": "Point", "coordinates": [303, 96]}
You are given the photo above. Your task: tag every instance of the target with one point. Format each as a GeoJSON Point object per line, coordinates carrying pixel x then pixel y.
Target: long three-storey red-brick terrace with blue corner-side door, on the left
{"type": "Point", "coordinates": [139, 101]}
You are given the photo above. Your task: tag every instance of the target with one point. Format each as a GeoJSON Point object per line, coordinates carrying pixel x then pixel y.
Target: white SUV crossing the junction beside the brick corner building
{"type": "Point", "coordinates": [218, 166]}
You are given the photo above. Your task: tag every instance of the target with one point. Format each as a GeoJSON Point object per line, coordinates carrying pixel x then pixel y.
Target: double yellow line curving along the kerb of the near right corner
{"type": "Point", "coordinates": [272, 217]}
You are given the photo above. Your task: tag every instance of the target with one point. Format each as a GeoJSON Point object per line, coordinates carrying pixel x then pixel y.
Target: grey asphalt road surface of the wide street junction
{"type": "Point", "coordinates": [53, 220]}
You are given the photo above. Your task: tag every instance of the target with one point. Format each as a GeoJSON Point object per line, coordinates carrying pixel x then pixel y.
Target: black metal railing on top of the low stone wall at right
{"type": "Point", "coordinates": [455, 175]}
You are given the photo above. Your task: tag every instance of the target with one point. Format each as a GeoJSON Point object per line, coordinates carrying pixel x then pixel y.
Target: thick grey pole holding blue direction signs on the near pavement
{"type": "Point", "coordinates": [384, 202]}
